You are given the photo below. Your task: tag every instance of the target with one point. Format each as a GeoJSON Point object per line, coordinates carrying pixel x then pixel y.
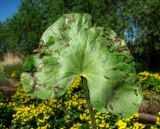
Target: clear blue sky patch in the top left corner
{"type": "Point", "coordinates": [8, 8]}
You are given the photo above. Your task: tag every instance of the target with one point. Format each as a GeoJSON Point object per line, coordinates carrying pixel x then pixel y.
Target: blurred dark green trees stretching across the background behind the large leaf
{"type": "Point", "coordinates": [136, 21]}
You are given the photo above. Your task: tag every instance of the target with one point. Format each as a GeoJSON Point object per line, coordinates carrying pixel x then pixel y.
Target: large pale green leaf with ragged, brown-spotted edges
{"type": "Point", "coordinates": [73, 47]}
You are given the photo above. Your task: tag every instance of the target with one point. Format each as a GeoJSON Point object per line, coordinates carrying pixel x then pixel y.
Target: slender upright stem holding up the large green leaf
{"type": "Point", "coordinates": [87, 96]}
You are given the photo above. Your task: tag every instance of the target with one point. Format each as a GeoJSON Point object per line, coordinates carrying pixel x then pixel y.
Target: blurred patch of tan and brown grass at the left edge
{"type": "Point", "coordinates": [10, 69]}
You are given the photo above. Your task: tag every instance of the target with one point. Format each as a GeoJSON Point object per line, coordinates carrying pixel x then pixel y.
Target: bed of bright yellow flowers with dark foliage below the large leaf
{"type": "Point", "coordinates": [68, 112]}
